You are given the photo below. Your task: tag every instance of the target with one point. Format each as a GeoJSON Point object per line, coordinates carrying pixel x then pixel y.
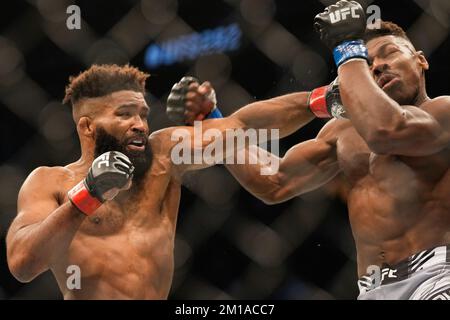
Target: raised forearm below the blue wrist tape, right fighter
{"type": "Point", "coordinates": [371, 111]}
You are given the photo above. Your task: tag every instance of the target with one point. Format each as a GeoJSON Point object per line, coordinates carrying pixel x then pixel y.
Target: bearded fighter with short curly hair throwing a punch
{"type": "Point", "coordinates": [109, 218]}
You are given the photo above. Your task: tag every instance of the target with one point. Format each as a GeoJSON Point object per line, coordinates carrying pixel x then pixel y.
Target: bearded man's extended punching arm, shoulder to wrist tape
{"type": "Point", "coordinates": [286, 113]}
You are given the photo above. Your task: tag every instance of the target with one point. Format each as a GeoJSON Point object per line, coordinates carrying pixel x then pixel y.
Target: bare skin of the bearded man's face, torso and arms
{"type": "Point", "coordinates": [125, 250]}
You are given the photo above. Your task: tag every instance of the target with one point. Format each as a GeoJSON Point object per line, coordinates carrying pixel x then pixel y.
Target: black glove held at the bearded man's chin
{"type": "Point", "coordinates": [110, 173]}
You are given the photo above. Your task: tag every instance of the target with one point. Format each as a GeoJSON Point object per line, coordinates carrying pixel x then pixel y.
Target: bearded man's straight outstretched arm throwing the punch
{"type": "Point", "coordinates": [286, 114]}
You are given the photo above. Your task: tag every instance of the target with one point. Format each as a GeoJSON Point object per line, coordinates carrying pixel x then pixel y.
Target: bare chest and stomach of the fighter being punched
{"type": "Point", "coordinates": [398, 205]}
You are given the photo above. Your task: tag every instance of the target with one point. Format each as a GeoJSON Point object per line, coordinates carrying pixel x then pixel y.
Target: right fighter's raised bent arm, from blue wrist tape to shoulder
{"type": "Point", "coordinates": [387, 127]}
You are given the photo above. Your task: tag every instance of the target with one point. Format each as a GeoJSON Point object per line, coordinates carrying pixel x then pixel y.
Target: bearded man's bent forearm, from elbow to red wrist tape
{"type": "Point", "coordinates": [32, 249]}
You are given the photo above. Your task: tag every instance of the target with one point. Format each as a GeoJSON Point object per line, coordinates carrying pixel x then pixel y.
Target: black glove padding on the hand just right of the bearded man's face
{"type": "Point", "coordinates": [176, 102]}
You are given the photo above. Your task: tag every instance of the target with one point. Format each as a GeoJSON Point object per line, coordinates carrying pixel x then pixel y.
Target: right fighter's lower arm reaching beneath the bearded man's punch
{"type": "Point", "coordinates": [305, 167]}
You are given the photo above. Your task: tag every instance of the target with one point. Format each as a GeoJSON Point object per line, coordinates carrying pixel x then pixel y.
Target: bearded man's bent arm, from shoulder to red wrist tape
{"type": "Point", "coordinates": [42, 230]}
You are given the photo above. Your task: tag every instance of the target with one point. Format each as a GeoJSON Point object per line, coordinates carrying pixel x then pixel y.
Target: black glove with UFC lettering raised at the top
{"type": "Point", "coordinates": [343, 21]}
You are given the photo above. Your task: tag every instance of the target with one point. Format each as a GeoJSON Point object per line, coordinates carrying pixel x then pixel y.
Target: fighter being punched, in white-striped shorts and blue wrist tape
{"type": "Point", "coordinates": [390, 141]}
